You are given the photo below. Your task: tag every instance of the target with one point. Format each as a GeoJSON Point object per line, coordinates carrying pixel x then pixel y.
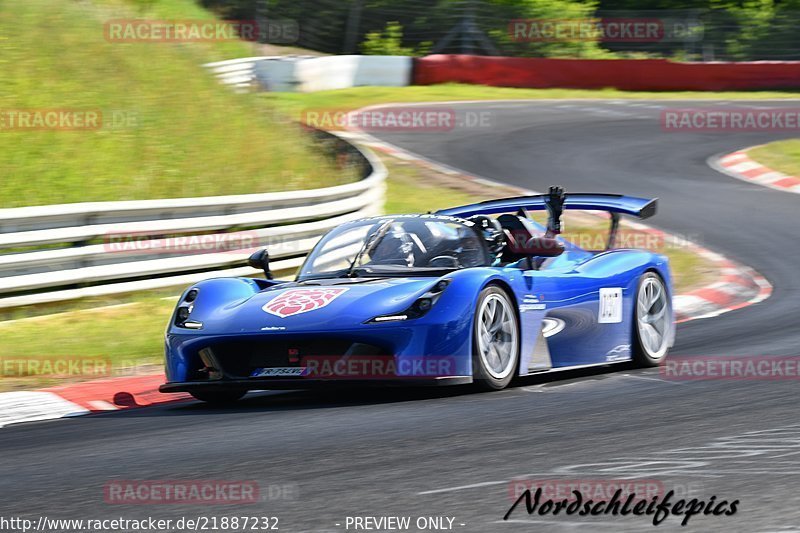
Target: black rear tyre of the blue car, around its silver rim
{"type": "Point", "coordinates": [644, 352]}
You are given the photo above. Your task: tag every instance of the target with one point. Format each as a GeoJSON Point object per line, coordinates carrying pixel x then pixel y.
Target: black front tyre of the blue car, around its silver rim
{"type": "Point", "coordinates": [483, 375]}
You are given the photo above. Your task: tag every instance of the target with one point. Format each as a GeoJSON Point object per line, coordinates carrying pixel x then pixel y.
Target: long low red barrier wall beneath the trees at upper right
{"type": "Point", "coordinates": [625, 74]}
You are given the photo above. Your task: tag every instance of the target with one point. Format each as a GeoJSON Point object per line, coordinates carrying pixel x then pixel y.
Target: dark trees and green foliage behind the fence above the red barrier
{"type": "Point", "coordinates": [728, 29]}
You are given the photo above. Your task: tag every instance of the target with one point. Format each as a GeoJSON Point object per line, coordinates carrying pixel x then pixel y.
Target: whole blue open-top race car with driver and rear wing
{"type": "Point", "coordinates": [473, 294]}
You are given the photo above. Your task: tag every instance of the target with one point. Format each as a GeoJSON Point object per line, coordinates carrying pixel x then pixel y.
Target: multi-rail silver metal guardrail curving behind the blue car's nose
{"type": "Point", "coordinates": [101, 248]}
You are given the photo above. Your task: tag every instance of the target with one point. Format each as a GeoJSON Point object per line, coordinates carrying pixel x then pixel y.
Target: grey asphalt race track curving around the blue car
{"type": "Point", "coordinates": [451, 452]}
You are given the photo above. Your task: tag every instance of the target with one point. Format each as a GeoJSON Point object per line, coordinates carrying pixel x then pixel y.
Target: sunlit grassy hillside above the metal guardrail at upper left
{"type": "Point", "coordinates": [187, 134]}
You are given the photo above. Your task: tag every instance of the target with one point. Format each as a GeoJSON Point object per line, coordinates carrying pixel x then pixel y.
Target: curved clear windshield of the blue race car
{"type": "Point", "coordinates": [395, 246]}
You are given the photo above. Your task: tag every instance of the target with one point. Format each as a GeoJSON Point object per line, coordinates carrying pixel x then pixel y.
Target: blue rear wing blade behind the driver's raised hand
{"type": "Point", "coordinates": [614, 203]}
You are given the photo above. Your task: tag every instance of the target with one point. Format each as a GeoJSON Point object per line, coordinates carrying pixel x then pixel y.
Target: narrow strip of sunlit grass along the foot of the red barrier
{"type": "Point", "coordinates": [349, 99]}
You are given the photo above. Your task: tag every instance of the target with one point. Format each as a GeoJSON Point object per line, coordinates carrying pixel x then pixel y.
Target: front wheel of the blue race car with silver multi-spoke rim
{"type": "Point", "coordinates": [495, 340]}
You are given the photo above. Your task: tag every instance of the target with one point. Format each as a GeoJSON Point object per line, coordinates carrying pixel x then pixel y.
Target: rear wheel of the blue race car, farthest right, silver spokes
{"type": "Point", "coordinates": [652, 321]}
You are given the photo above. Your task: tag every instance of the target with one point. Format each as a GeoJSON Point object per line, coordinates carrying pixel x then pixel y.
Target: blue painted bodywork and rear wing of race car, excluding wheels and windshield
{"type": "Point", "coordinates": [564, 292]}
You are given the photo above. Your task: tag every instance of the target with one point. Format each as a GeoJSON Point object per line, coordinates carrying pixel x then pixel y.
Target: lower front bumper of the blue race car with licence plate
{"type": "Point", "coordinates": [380, 355]}
